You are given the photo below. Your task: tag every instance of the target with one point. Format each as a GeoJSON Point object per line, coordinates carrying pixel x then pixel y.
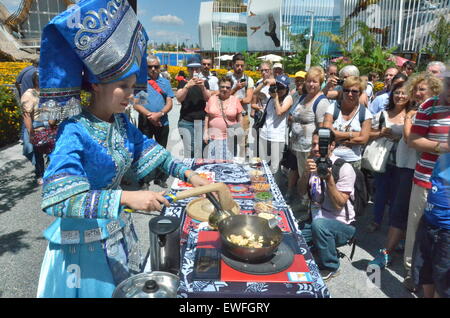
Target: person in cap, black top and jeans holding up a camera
{"type": "Point", "coordinates": [193, 96]}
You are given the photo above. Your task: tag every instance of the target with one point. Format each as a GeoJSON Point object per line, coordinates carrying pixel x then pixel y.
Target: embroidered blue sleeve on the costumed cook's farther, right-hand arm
{"type": "Point", "coordinates": [149, 155]}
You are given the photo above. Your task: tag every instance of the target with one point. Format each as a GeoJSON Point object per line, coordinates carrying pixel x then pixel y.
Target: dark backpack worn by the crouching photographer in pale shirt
{"type": "Point", "coordinates": [361, 199]}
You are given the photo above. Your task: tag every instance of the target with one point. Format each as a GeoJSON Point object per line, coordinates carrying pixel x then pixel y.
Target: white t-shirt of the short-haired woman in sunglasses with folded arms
{"type": "Point", "coordinates": [349, 154]}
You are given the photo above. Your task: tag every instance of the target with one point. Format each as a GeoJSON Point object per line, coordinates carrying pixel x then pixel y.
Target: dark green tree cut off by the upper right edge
{"type": "Point", "coordinates": [440, 41]}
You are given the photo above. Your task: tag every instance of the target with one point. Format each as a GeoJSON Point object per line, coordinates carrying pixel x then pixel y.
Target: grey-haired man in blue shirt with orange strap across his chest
{"type": "Point", "coordinates": [153, 119]}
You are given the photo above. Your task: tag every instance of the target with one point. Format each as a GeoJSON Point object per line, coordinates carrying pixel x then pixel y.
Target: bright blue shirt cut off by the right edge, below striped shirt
{"type": "Point", "coordinates": [437, 210]}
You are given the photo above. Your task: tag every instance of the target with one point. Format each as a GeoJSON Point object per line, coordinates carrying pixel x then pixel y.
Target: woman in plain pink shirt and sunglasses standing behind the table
{"type": "Point", "coordinates": [223, 123]}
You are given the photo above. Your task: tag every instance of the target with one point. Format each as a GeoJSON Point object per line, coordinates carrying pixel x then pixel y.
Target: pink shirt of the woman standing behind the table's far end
{"type": "Point", "coordinates": [217, 126]}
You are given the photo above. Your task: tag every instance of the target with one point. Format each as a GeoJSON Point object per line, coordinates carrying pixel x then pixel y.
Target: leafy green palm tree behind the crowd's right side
{"type": "Point", "coordinates": [366, 52]}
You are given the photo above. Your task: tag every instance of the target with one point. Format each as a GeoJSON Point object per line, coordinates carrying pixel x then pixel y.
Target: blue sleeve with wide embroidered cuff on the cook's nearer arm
{"type": "Point", "coordinates": [67, 191]}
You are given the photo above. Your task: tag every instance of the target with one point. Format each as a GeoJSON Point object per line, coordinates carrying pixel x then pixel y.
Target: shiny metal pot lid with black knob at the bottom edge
{"type": "Point", "coordinates": [148, 285]}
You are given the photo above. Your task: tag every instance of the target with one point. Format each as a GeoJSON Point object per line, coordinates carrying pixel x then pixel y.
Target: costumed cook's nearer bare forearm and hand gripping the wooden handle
{"type": "Point", "coordinates": [144, 200]}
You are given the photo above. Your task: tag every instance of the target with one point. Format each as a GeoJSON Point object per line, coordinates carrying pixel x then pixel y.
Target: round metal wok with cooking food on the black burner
{"type": "Point", "coordinates": [239, 225]}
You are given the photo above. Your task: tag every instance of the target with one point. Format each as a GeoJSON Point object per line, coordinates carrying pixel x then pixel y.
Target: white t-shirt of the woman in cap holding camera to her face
{"type": "Point", "coordinates": [275, 127]}
